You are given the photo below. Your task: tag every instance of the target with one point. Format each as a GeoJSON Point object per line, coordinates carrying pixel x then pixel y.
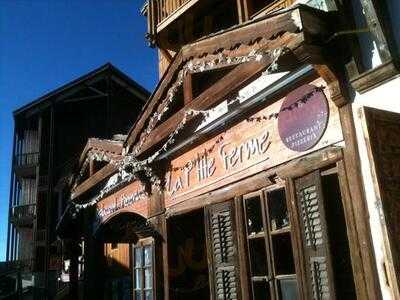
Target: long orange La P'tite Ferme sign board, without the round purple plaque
{"type": "Point", "coordinates": [248, 147]}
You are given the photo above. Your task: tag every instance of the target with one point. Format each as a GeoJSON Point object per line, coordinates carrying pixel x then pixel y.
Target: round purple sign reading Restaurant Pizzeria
{"type": "Point", "coordinates": [303, 118]}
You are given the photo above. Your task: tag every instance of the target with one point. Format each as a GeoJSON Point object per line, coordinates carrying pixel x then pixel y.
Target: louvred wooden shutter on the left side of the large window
{"type": "Point", "coordinates": [222, 245]}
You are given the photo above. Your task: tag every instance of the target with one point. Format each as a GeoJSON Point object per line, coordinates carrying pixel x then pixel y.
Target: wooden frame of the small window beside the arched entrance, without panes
{"type": "Point", "coordinates": [141, 245]}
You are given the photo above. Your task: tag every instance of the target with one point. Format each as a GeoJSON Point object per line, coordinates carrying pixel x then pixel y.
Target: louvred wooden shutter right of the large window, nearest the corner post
{"type": "Point", "coordinates": [318, 266]}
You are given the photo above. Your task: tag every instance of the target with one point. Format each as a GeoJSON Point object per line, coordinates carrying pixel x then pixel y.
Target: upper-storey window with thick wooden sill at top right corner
{"type": "Point", "coordinates": [374, 60]}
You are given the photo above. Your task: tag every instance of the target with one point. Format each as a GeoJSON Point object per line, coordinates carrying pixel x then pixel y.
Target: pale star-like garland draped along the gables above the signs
{"type": "Point", "coordinates": [129, 166]}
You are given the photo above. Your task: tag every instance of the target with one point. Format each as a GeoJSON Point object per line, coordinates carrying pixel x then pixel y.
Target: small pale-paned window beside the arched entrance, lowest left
{"type": "Point", "coordinates": [143, 270]}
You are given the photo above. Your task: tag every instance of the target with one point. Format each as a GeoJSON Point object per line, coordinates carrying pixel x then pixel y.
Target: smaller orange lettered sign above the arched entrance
{"type": "Point", "coordinates": [131, 198]}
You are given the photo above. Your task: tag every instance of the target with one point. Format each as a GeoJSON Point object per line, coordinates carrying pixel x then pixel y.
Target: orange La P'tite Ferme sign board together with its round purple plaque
{"type": "Point", "coordinates": [253, 142]}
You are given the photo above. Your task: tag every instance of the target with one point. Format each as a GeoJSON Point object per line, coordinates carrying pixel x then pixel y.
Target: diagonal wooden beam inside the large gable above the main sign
{"type": "Point", "coordinates": [233, 80]}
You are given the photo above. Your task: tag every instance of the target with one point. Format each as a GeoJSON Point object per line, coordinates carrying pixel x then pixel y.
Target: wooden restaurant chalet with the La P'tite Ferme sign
{"type": "Point", "coordinates": [255, 170]}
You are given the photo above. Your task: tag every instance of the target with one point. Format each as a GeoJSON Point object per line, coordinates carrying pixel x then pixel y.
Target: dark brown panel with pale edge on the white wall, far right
{"type": "Point", "coordinates": [382, 135]}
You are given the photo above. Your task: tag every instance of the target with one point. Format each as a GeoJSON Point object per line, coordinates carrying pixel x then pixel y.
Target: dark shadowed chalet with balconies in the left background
{"type": "Point", "coordinates": [49, 133]}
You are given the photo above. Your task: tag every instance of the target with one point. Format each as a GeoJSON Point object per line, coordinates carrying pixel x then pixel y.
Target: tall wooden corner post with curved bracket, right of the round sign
{"type": "Point", "coordinates": [355, 205]}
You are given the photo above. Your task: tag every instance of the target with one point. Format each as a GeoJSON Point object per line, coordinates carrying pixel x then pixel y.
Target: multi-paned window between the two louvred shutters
{"type": "Point", "coordinates": [270, 253]}
